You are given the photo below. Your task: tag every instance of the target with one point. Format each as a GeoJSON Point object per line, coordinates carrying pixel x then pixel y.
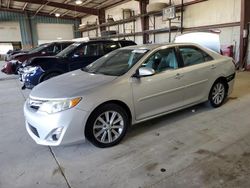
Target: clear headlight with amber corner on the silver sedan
{"type": "Point", "coordinates": [59, 105]}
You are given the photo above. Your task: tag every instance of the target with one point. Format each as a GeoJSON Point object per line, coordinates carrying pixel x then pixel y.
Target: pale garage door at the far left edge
{"type": "Point", "coordinates": [10, 32]}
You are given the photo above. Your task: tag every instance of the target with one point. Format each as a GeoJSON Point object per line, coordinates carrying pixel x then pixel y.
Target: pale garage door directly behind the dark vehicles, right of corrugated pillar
{"type": "Point", "coordinates": [52, 32]}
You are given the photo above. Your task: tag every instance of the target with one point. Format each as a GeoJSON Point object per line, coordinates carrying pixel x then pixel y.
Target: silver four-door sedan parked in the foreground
{"type": "Point", "coordinates": [125, 87]}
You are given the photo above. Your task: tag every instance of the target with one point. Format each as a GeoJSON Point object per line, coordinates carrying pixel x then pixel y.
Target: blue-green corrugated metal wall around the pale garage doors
{"type": "Point", "coordinates": [28, 25]}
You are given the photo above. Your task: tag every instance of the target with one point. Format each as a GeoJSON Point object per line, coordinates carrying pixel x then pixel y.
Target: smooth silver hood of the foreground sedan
{"type": "Point", "coordinates": [71, 84]}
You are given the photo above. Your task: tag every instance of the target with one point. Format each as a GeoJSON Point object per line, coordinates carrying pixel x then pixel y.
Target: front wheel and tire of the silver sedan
{"type": "Point", "coordinates": [100, 132]}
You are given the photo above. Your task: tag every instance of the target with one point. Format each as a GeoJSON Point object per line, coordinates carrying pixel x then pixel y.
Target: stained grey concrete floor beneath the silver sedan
{"type": "Point", "coordinates": [197, 147]}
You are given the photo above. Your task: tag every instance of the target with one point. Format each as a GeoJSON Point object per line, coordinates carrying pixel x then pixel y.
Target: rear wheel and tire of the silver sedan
{"type": "Point", "coordinates": [218, 94]}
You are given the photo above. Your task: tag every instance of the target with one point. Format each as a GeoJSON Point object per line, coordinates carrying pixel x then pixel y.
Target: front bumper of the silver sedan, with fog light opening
{"type": "Point", "coordinates": [42, 127]}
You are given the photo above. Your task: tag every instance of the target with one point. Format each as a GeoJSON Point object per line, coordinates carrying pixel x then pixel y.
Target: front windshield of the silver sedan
{"type": "Point", "coordinates": [117, 62]}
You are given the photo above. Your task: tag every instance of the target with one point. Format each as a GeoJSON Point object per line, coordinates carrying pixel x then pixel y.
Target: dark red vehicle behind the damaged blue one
{"type": "Point", "coordinates": [11, 67]}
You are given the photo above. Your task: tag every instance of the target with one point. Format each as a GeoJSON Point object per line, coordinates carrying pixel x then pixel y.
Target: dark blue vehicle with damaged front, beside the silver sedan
{"type": "Point", "coordinates": [77, 55]}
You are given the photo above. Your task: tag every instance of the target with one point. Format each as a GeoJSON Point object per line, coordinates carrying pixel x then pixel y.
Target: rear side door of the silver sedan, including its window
{"type": "Point", "coordinates": [196, 71]}
